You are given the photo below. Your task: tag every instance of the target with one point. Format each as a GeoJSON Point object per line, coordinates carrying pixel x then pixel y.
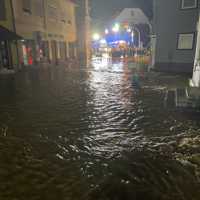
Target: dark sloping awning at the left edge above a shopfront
{"type": "Point", "coordinates": [6, 34]}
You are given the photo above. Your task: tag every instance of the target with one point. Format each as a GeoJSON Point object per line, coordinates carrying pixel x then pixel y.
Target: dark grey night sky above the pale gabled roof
{"type": "Point", "coordinates": [103, 10]}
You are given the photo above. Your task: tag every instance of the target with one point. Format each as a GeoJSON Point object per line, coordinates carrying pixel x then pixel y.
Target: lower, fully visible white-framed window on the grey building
{"type": "Point", "coordinates": [185, 41]}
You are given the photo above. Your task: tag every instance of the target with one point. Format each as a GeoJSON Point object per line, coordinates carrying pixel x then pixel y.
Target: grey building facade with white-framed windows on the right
{"type": "Point", "coordinates": [174, 39]}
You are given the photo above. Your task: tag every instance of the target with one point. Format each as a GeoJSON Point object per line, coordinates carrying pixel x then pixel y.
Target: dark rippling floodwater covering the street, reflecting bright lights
{"type": "Point", "coordinates": [89, 134]}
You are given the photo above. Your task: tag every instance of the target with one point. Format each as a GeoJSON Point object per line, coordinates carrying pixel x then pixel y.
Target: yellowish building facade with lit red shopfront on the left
{"type": "Point", "coordinates": [47, 28]}
